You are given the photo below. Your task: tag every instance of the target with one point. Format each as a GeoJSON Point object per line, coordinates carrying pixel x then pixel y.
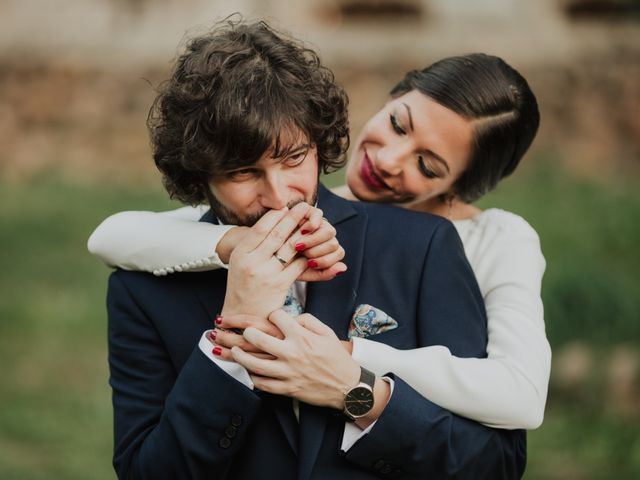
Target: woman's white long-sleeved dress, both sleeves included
{"type": "Point", "coordinates": [508, 389]}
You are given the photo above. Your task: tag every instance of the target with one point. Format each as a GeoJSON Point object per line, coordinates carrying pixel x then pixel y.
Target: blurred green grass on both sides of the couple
{"type": "Point", "coordinates": [55, 411]}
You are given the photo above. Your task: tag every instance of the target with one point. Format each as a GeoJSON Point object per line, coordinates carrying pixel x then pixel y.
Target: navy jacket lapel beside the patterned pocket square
{"type": "Point", "coordinates": [333, 303]}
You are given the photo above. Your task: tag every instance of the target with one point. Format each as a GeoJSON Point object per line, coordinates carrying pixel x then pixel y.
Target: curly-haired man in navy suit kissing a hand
{"type": "Point", "coordinates": [246, 123]}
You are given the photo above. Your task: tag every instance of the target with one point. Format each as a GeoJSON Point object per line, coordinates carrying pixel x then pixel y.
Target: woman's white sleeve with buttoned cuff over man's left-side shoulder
{"type": "Point", "coordinates": [160, 243]}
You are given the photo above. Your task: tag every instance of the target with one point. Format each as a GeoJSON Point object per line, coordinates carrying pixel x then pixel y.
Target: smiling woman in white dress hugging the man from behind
{"type": "Point", "coordinates": [448, 135]}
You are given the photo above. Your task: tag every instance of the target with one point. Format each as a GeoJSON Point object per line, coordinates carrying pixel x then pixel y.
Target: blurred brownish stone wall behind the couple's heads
{"type": "Point", "coordinates": [77, 77]}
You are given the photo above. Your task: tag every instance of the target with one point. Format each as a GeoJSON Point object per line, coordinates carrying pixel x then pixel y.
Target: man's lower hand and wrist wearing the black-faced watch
{"type": "Point", "coordinates": [299, 357]}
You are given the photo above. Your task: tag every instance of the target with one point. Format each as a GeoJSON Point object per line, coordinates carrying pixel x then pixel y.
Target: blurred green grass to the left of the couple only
{"type": "Point", "coordinates": [55, 413]}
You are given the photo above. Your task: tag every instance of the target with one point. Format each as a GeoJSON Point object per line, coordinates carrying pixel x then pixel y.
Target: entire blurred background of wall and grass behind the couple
{"type": "Point", "coordinates": [73, 103]}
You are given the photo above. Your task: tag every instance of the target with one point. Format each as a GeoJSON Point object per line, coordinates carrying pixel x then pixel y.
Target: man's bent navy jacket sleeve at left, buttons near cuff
{"type": "Point", "coordinates": [169, 425]}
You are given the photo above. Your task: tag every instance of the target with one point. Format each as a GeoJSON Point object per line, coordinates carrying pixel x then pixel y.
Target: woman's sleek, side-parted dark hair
{"type": "Point", "coordinates": [498, 101]}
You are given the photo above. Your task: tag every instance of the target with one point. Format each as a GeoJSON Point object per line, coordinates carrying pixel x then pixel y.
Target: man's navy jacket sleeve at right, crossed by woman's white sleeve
{"type": "Point", "coordinates": [414, 435]}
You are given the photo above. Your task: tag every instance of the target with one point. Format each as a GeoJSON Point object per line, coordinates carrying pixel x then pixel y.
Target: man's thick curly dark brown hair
{"type": "Point", "coordinates": [232, 96]}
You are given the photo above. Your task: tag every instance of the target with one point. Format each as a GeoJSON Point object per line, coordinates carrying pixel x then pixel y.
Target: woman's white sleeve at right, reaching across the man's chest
{"type": "Point", "coordinates": [508, 389]}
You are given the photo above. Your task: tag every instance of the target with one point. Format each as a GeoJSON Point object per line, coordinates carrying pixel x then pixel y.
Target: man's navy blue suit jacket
{"type": "Point", "coordinates": [177, 415]}
